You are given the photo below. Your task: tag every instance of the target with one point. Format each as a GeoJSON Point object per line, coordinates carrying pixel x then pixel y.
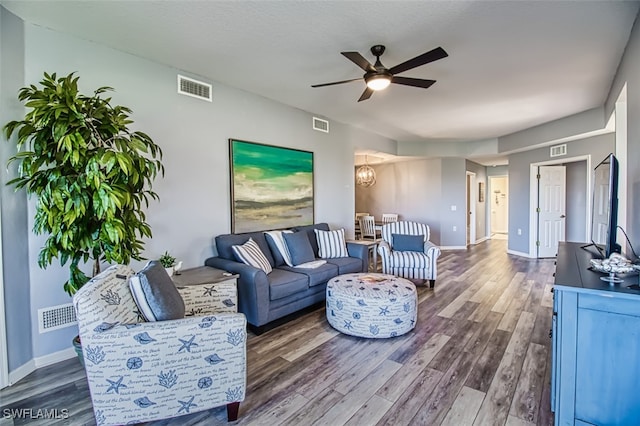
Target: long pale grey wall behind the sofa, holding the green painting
{"type": "Point", "coordinates": [193, 134]}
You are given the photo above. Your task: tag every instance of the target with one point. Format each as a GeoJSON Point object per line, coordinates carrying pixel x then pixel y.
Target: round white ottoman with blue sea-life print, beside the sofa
{"type": "Point", "coordinates": [371, 305]}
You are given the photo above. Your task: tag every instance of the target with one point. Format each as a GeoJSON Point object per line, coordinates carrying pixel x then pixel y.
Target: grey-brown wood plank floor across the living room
{"type": "Point", "coordinates": [479, 355]}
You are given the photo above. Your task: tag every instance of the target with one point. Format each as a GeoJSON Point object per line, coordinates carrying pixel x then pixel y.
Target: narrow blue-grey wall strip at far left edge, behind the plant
{"type": "Point", "coordinates": [15, 248]}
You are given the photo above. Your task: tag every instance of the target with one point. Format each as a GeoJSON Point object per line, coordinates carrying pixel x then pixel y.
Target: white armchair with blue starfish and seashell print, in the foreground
{"type": "Point", "coordinates": [142, 371]}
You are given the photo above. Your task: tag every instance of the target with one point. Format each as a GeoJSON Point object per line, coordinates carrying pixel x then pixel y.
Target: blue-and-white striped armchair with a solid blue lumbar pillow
{"type": "Point", "coordinates": [418, 264]}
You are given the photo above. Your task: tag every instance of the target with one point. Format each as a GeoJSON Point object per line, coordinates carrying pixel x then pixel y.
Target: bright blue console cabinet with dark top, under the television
{"type": "Point", "coordinates": [596, 344]}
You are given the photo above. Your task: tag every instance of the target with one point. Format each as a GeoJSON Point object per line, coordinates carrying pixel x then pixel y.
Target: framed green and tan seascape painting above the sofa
{"type": "Point", "coordinates": [271, 187]}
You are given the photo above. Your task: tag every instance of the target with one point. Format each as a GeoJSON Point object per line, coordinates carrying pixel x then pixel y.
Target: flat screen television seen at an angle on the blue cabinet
{"type": "Point", "coordinates": [604, 217]}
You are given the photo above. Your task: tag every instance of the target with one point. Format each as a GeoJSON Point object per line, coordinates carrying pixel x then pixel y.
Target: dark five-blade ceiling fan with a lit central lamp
{"type": "Point", "coordinates": [378, 77]}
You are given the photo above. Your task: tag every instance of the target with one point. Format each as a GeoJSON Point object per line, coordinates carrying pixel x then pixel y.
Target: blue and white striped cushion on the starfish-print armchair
{"type": "Point", "coordinates": [156, 295]}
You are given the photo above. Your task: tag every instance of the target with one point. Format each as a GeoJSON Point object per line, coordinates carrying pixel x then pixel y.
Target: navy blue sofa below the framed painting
{"type": "Point", "coordinates": [264, 298]}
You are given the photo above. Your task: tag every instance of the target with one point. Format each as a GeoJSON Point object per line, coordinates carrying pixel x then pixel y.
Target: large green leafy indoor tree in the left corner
{"type": "Point", "coordinates": [92, 175]}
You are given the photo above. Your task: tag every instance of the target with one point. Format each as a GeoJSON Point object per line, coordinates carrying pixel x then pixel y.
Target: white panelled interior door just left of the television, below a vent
{"type": "Point", "coordinates": [551, 209]}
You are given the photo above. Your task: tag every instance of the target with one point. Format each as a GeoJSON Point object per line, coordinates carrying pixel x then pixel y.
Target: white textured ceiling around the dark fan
{"type": "Point", "coordinates": [512, 64]}
